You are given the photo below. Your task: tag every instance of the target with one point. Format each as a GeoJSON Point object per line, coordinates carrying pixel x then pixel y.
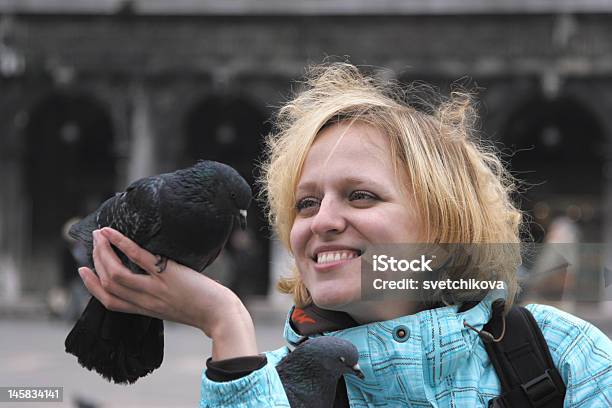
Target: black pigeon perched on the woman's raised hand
{"type": "Point", "coordinates": [186, 216]}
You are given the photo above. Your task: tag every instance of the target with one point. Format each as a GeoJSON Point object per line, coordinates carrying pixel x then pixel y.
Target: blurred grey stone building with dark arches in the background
{"type": "Point", "coordinates": [96, 93]}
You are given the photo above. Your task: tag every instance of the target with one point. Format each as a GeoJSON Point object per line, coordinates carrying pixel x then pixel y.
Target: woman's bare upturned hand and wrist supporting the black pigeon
{"type": "Point", "coordinates": [178, 293]}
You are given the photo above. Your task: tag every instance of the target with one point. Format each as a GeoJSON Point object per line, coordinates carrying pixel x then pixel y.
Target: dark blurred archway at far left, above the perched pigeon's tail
{"type": "Point", "coordinates": [68, 167]}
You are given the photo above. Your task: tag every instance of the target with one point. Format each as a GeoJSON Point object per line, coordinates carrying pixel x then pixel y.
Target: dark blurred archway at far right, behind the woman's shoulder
{"type": "Point", "coordinates": [559, 151]}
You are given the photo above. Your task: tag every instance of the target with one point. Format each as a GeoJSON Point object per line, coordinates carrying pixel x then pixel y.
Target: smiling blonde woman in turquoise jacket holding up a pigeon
{"type": "Point", "coordinates": [350, 166]}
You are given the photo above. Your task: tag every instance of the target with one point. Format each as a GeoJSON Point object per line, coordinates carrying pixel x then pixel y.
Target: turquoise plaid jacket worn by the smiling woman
{"type": "Point", "coordinates": [439, 363]}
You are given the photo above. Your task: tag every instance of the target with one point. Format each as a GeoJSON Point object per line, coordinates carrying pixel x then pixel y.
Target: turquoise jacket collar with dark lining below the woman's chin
{"type": "Point", "coordinates": [445, 341]}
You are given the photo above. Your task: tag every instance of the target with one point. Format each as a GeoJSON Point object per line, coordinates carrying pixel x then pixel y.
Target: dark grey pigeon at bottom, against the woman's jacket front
{"type": "Point", "coordinates": [311, 372]}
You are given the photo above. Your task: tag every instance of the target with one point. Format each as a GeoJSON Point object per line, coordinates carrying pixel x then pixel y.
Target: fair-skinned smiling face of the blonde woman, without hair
{"type": "Point", "coordinates": [347, 199]}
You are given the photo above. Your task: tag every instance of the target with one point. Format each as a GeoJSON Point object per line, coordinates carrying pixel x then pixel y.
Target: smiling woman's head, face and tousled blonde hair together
{"type": "Point", "coordinates": [372, 169]}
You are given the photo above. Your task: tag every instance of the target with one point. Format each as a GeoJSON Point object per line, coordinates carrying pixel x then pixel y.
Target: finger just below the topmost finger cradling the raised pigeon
{"type": "Point", "coordinates": [112, 269]}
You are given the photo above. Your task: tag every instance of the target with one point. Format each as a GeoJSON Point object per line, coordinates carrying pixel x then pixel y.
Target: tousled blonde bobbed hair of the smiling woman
{"type": "Point", "coordinates": [460, 186]}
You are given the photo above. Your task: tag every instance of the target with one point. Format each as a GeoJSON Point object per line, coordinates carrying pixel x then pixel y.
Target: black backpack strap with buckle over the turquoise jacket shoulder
{"type": "Point", "coordinates": [523, 363]}
